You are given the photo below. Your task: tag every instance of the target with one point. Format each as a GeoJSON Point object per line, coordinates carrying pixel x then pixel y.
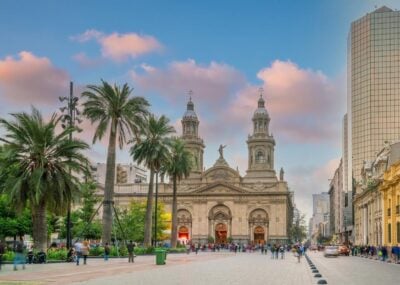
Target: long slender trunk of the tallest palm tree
{"type": "Point", "coordinates": [109, 186]}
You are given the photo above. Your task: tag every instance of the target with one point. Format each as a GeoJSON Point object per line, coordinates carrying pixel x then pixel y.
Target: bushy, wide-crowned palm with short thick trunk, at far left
{"type": "Point", "coordinates": [40, 165]}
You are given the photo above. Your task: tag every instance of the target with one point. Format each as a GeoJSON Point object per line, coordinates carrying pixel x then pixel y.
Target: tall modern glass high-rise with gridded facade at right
{"type": "Point", "coordinates": [373, 87]}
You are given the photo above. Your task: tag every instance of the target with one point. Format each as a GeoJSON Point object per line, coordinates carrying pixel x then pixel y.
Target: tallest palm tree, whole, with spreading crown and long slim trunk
{"type": "Point", "coordinates": [112, 108]}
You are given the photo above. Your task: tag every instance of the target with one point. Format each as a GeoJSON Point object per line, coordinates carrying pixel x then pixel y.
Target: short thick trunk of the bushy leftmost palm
{"type": "Point", "coordinates": [39, 226]}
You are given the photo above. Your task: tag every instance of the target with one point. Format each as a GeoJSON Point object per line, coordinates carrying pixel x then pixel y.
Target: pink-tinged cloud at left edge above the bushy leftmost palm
{"type": "Point", "coordinates": [31, 79]}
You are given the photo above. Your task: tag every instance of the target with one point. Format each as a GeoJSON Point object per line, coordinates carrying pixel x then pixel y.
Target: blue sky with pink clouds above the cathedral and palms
{"type": "Point", "coordinates": [222, 50]}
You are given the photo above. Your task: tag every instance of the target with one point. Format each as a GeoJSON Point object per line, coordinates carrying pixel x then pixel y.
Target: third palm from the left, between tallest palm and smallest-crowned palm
{"type": "Point", "coordinates": [152, 151]}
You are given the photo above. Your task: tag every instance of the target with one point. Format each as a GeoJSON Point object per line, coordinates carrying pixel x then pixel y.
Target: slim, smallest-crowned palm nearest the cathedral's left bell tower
{"type": "Point", "coordinates": [176, 167]}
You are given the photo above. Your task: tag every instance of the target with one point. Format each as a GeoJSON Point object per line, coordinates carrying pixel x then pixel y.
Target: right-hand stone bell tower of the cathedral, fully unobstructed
{"type": "Point", "coordinates": [260, 146]}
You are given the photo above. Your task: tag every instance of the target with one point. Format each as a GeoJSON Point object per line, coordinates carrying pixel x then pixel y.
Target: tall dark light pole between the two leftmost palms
{"type": "Point", "coordinates": [69, 118]}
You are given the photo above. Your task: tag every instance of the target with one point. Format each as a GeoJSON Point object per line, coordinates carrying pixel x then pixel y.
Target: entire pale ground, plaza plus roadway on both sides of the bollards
{"type": "Point", "coordinates": [209, 268]}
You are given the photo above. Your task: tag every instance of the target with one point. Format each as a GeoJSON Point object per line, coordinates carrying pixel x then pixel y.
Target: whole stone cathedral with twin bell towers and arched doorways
{"type": "Point", "coordinates": [218, 204]}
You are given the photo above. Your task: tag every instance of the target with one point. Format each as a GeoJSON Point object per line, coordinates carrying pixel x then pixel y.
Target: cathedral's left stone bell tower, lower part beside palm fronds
{"type": "Point", "coordinates": [190, 134]}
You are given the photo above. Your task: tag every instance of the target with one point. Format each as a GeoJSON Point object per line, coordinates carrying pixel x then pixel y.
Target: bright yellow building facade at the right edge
{"type": "Point", "coordinates": [390, 192]}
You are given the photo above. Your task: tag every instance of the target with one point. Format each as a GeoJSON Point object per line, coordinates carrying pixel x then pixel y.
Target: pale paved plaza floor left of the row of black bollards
{"type": "Point", "coordinates": [204, 268]}
